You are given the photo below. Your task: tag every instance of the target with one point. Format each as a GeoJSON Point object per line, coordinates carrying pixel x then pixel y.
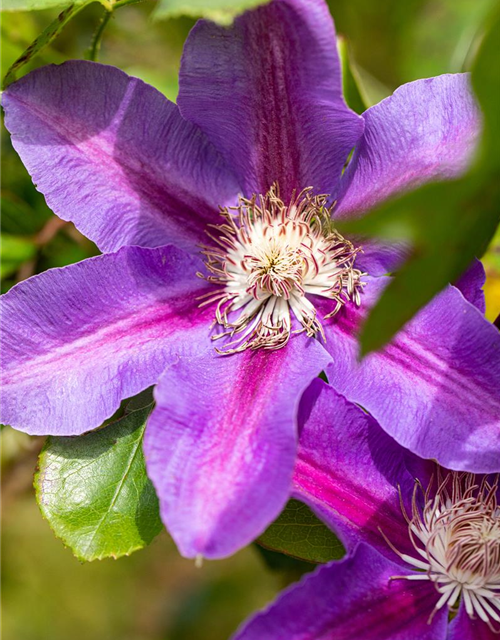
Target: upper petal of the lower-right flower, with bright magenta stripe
{"type": "Point", "coordinates": [348, 471]}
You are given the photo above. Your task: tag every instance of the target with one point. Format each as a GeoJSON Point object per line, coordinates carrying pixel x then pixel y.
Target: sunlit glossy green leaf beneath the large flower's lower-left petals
{"type": "Point", "coordinates": [94, 491]}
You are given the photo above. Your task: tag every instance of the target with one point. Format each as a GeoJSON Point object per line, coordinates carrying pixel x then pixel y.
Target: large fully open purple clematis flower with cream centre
{"type": "Point", "coordinates": [262, 131]}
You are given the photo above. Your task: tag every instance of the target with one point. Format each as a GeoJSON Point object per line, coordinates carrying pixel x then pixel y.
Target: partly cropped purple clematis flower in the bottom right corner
{"type": "Point", "coordinates": [420, 551]}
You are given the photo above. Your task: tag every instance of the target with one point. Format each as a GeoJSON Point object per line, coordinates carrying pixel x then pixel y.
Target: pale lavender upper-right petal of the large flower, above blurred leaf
{"type": "Point", "coordinates": [427, 130]}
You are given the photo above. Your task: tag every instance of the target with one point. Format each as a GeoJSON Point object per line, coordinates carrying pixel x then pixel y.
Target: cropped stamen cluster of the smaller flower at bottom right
{"type": "Point", "coordinates": [457, 535]}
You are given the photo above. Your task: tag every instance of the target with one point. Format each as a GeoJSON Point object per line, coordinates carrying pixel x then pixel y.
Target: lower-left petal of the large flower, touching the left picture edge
{"type": "Point", "coordinates": [76, 341]}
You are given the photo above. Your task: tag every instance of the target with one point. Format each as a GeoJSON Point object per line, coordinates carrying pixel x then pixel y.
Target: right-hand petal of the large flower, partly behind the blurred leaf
{"type": "Point", "coordinates": [435, 387]}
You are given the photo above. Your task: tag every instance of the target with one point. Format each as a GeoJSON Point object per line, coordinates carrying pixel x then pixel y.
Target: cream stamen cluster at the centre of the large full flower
{"type": "Point", "coordinates": [267, 258]}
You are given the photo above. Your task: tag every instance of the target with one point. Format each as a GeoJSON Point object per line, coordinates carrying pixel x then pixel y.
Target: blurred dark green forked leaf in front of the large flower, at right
{"type": "Point", "coordinates": [447, 223]}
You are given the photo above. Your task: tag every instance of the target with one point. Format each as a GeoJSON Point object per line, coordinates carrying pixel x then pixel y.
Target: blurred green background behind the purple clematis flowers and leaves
{"type": "Point", "coordinates": [155, 594]}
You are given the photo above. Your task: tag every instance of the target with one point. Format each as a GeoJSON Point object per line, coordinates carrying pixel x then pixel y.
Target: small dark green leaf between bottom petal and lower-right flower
{"type": "Point", "coordinates": [297, 532]}
